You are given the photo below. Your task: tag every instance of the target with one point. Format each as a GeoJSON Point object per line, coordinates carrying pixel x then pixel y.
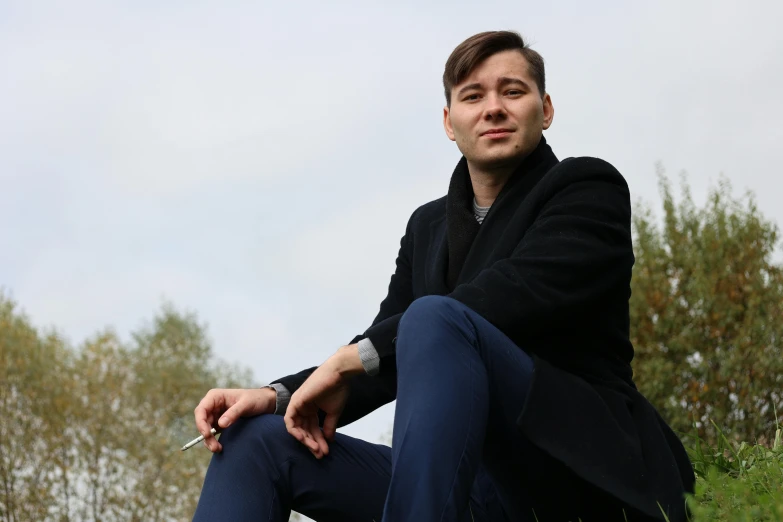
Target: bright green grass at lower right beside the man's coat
{"type": "Point", "coordinates": [737, 482]}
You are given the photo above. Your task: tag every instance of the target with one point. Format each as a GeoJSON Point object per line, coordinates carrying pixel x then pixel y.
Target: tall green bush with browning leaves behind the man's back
{"type": "Point", "coordinates": [706, 310]}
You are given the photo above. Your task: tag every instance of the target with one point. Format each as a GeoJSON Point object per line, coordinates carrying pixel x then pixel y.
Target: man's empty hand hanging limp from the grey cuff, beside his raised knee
{"type": "Point", "coordinates": [326, 389]}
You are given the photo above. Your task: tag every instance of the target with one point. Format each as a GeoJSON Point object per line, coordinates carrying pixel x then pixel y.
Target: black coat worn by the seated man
{"type": "Point", "coordinates": [551, 268]}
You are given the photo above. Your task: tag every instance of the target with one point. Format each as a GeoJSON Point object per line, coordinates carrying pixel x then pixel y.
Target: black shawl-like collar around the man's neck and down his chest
{"type": "Point", "coordinates": [463, 231]}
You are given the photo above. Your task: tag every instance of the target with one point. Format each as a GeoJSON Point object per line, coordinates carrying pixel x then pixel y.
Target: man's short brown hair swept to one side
{"type": "Point", "coordinates": [470, 53]}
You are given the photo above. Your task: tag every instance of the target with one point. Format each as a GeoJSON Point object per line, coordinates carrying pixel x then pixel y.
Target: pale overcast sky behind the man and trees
{"type": "Point", "coordinates": [257, 163]}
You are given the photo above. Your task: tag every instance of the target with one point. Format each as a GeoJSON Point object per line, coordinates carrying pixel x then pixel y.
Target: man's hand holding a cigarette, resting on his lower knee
{"type": "Point", "coordinates": [221, 408]}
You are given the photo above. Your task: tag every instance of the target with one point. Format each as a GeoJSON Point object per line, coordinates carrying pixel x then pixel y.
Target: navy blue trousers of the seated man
{"type": "Point", "coordinates": [456, 455]}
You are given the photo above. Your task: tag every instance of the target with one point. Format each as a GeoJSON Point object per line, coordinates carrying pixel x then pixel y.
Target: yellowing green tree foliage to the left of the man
{"type": "Point", "coordinates": [93, 433]}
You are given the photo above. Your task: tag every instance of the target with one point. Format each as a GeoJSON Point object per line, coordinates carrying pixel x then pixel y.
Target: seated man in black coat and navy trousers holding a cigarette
{"type": "Point", "coordinates": [504, 338]}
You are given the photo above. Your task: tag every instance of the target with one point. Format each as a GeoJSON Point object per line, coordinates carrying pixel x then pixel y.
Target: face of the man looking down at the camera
{"type": "Point", "coordinates": [497, 114]}
